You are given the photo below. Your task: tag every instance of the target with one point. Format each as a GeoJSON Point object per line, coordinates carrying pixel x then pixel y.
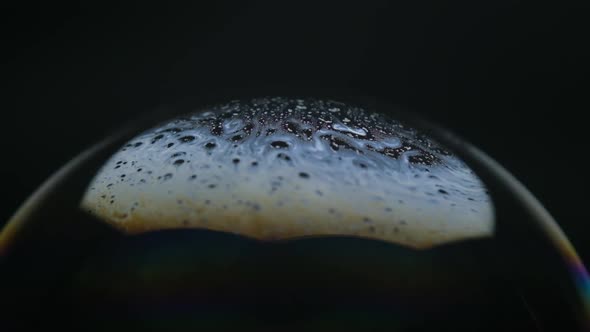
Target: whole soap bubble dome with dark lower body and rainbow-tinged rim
{"type": "Point", "coordinates": [290, 214]}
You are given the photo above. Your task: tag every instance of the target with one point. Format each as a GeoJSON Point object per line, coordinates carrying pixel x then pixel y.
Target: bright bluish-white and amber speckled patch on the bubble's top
{"type": "Point", "coordinates": [277, 168]}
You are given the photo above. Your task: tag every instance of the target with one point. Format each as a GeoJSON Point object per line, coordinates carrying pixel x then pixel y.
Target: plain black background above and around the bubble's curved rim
{"type": "Point", "coordinates": [508, 76]}
